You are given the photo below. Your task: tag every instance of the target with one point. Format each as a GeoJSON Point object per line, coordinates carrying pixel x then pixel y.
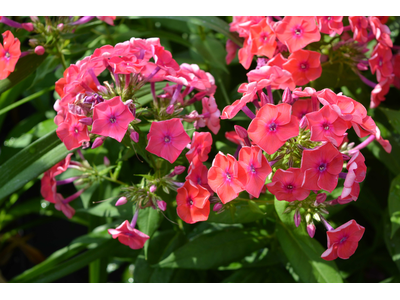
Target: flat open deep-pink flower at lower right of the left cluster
{"type": "Point", "coordinates": [167, 139]}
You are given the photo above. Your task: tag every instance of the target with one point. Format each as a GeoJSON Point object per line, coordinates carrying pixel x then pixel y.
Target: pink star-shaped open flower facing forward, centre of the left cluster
{"type": "Point", "coordinates": [111, 118]}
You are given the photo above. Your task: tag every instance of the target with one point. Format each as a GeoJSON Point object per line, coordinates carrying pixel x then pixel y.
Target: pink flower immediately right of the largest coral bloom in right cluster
{"type": "Point", "coordinates": [326, 125]}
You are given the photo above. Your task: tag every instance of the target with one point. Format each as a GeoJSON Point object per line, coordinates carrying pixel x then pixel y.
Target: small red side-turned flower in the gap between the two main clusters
{"type": "Point", "coordinates": [200, 147]}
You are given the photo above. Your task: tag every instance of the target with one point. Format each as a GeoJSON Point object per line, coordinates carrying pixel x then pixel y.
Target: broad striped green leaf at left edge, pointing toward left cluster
{"type": "Point", "coordinates": [30, 162]}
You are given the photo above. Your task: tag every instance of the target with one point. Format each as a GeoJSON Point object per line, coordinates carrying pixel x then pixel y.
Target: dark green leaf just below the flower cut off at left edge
{"type": "Point", "coordinates": [25, 66]}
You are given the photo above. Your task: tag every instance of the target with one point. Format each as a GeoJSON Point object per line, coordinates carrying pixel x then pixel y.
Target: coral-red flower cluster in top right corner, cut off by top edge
{"type": "Point", "coordinates": [279, 45]}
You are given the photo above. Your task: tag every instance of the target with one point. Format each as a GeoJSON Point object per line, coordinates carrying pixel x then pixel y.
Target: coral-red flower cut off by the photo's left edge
{"type": "Point", "coordinates": [9, 54]}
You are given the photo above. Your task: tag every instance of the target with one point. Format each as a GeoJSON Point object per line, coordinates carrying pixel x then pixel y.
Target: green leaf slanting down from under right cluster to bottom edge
{"type": "Point", "coordinates": [303, 252]}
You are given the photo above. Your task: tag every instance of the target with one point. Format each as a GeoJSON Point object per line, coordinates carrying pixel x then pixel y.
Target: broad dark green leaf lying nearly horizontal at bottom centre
{"type": "Point", "coordinates": [214, 249]}
